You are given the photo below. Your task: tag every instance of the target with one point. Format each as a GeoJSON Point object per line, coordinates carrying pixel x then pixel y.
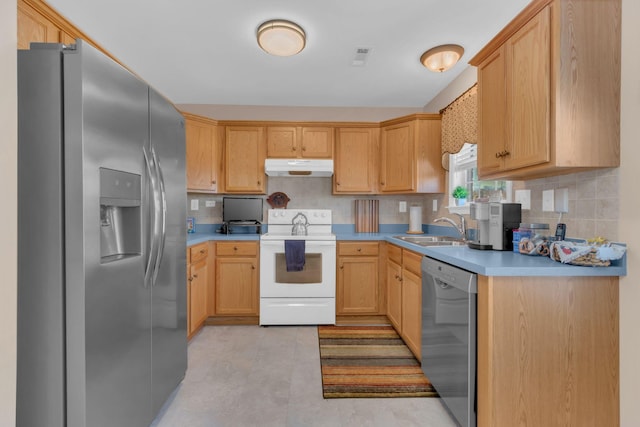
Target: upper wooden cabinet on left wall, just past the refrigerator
{"type": "Point", "coordinates": [202, 154]}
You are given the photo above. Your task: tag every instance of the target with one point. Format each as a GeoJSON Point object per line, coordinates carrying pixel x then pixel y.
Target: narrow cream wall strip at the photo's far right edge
{"type": "Point", "coordinates": [629, 209]}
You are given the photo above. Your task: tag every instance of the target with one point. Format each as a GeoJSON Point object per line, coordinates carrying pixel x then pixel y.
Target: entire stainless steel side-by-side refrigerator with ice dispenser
{"type": "Point", "coordinates": [102, 242]}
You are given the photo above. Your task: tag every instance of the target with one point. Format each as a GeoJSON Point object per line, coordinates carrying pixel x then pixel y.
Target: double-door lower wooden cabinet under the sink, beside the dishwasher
{"type": "Point", "coordinates": [404, 295]}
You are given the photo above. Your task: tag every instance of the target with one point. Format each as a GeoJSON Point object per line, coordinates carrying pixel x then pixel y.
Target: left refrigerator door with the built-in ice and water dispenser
{"type": "Point", "coordinates": [108, 322]}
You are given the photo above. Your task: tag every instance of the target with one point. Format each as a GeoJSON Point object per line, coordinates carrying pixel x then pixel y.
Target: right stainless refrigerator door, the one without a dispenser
{"type": "Point", "coordinates": [169, 300]}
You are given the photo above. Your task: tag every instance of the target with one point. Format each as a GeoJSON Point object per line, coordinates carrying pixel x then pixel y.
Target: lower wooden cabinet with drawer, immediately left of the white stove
{"type": "Point", "coordinates": [237, 291]}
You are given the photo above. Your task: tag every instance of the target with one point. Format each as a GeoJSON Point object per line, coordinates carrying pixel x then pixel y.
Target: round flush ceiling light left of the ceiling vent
{"type": "Point", "coordinates": [281, 38]}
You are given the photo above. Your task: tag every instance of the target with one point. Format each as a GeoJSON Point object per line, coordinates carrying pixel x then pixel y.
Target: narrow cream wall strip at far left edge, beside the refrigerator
{"type": "Point", "coordinates": [8, 212]}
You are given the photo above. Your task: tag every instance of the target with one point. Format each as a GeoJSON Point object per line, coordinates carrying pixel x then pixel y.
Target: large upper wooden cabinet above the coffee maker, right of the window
{"type": "Point", "coordinates": [549, 91]}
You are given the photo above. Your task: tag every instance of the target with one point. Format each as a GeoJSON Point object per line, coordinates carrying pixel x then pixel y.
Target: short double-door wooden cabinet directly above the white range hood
{"type": "Point", "coordinates": [299, 142]}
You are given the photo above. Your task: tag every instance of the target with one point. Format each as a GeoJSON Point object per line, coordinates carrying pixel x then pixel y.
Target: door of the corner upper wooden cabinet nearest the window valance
{"type": "Point", "coordinates": [397, 158]}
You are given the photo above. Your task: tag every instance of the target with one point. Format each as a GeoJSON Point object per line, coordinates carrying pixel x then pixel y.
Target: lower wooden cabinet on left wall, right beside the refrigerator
{"type": "Point", "coordinates": [197, 284]}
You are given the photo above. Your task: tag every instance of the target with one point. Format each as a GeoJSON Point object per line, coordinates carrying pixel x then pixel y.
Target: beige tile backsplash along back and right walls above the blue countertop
{"type": "Point", "coordinates": [593, 202]}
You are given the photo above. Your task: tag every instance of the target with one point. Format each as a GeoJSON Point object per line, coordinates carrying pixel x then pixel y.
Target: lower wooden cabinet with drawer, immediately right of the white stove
{"type": "Point", "coordinates": [358, 284]}
